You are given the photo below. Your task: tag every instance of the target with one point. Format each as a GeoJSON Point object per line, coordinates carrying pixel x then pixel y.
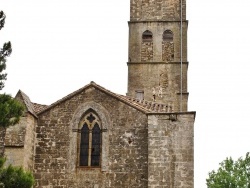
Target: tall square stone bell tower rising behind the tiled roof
{"type": "Point", "coordinates": [157, 65]}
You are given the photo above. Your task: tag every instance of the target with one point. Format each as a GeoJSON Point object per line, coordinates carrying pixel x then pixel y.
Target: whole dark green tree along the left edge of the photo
{"type": "Point", "coordinates": [11, 111]}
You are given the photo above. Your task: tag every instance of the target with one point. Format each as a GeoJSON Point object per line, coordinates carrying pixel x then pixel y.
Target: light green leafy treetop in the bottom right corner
{"type": "Point", "coordinates": [231, 174]}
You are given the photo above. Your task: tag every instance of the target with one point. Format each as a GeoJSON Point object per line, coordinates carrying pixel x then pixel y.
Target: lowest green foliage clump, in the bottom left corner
{"type": "Point", "coordinates": [15, 177]}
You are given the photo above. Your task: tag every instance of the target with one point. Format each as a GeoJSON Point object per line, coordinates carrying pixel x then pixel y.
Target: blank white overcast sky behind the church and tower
{"type": "Point", "coordinates": [59, 46]}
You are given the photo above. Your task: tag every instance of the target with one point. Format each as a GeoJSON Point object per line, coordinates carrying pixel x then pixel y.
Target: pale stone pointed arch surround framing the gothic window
{"type": "Point", "coordinates": [103, 121]}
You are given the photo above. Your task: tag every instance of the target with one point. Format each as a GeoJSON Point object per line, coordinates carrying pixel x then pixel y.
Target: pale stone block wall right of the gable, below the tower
{"type": "Point", "coordinates": [171, 150]}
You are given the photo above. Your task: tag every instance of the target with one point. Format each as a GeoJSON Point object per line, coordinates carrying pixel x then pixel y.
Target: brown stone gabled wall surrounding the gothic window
{"type": "Point", "coordinates": [56, 152]}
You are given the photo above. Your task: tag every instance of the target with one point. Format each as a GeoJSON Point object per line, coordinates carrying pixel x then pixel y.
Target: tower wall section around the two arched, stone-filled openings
{"type": "Point", "coordinates": [157, 28]}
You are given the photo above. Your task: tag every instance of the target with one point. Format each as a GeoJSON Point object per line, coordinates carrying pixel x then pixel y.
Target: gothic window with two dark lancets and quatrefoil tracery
{"type": "Point", "coordinates": [90, 142]}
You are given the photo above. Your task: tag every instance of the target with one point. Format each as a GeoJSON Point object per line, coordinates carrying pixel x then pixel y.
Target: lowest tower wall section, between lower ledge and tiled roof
{"type": "Point", "coordinates": [159, 81]}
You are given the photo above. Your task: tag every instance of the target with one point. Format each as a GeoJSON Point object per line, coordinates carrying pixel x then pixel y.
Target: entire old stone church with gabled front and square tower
{"type": "Point", "coordinates": [94, 138]}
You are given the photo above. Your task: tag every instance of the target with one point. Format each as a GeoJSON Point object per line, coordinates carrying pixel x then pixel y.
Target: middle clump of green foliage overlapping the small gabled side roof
{"type": "Point", "coordinates": [10, 110]}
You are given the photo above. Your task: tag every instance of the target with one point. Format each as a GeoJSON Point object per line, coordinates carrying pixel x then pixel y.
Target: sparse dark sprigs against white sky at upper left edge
{"type": "Point", "coordinates": [5, 51]}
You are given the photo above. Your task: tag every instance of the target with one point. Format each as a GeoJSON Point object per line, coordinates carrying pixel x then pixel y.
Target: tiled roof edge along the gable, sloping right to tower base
{"type": "Point", "coordinates": [143, 106]}
